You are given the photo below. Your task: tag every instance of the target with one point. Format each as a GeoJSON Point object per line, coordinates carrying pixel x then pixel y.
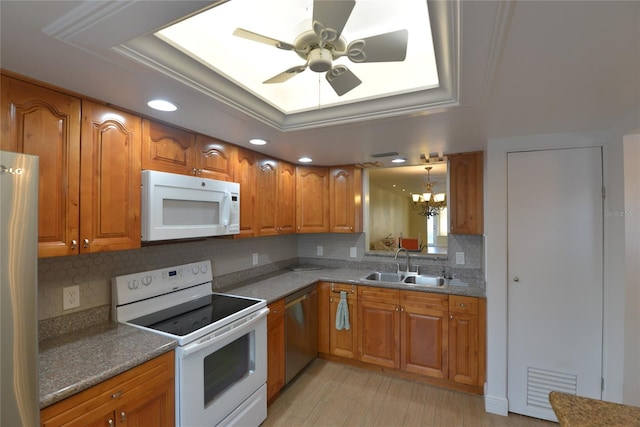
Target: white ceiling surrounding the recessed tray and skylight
{"type": "Point", "coordinates": [526, 67]}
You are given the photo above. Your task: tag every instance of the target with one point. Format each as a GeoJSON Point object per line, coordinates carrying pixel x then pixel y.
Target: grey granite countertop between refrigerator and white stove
{"type": "Point", "coordinates": [76, 361]}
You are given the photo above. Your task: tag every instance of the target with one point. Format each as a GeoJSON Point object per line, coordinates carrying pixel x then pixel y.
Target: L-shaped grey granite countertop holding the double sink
{"type": "Point", "coordinates": [278, 285]}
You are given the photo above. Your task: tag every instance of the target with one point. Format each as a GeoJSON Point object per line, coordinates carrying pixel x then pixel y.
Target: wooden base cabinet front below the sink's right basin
{"type": "Point", "coordinates": [424, 333]}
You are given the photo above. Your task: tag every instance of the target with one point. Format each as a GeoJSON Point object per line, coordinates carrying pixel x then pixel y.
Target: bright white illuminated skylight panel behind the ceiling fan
{"type": "Point", "coordinates": [208, 38]}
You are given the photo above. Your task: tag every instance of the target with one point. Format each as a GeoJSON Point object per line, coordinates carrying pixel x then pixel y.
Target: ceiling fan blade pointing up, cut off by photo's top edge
{"type": "Point", "coordinates": [330, 17]}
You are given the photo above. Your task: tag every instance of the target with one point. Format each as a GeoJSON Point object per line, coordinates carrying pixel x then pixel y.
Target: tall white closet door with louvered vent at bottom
{"type": "Point", "coordinates": [555, 264]}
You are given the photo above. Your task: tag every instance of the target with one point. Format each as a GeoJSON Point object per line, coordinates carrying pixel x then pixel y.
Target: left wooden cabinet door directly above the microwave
{"type": "Point", "coordinates": [168, 149]}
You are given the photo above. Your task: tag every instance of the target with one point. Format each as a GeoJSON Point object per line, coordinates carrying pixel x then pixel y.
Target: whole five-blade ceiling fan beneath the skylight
{"type": "Point", "coordinates": [323, 44]}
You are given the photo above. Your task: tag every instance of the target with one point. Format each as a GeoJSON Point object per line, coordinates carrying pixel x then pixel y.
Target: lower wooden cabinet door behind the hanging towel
{"type": "Point", "coordinates": [343, 343]}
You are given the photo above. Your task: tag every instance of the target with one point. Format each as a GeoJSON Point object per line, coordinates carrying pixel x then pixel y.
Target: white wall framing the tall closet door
{"type": "Point", "coordinates": [496, 263]}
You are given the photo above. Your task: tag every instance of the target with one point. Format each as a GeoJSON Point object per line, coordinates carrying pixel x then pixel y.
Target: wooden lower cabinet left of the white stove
{"type": "Point", "coordinates": [144, 395]}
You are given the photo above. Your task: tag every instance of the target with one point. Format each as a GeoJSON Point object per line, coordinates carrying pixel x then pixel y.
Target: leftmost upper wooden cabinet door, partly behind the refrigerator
{"type": "Point", "coordinates": [46, 123]}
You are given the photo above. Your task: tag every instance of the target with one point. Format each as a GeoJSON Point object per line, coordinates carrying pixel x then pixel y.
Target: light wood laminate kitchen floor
{"type": "Point", "coordinates": [332, 394]}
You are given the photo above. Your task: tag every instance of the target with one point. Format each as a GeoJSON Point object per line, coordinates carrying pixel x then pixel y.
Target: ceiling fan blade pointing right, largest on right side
{"type": "Point", "coordinates": [386, 47]}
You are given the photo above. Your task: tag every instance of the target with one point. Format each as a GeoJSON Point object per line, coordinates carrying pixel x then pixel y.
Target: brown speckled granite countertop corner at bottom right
{"type": "Point", "coordinates": [576, 411]}
